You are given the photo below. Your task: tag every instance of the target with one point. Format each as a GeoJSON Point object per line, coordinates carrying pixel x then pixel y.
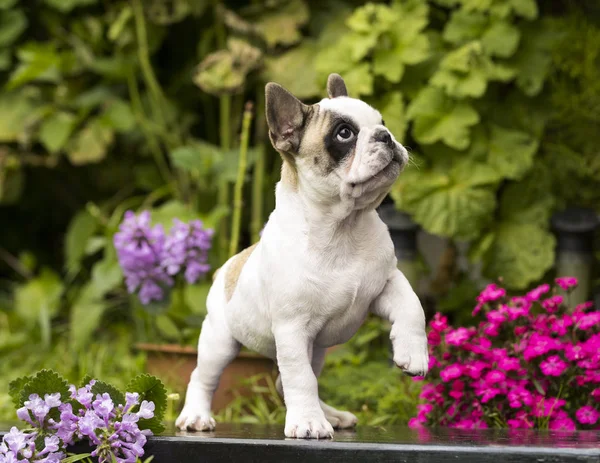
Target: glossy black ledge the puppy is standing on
{"type": "Point", "coordinates": [254, 443]}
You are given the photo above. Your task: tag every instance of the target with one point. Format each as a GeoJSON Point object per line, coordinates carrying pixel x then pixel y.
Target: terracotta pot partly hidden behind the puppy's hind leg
{"type": "Point", "coordinates": [174, 364]}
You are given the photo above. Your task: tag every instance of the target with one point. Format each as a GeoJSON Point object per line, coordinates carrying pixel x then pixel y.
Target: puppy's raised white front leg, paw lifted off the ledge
{"type": "Point", "coordinates": [399, 304]}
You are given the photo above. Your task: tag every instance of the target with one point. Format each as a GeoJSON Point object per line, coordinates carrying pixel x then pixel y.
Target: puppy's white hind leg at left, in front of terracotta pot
{"type": "Point", "coordinates": [216, 348]}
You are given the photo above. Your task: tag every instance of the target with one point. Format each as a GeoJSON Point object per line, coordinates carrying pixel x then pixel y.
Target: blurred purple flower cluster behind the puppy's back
{"type": "Point", "coordinates": [151, 259]}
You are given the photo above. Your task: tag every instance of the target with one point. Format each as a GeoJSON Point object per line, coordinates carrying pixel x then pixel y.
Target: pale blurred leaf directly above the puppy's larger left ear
{"type": "Point", "coordinates": [295, 70]}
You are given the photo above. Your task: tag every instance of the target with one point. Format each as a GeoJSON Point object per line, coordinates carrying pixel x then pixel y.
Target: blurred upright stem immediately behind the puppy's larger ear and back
{"type": "Point", "coordinates": [259, 169]}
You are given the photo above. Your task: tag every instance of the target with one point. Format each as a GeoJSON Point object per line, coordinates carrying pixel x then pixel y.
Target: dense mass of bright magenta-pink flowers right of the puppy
{"type": "Point", "coordinates": [531, 362]}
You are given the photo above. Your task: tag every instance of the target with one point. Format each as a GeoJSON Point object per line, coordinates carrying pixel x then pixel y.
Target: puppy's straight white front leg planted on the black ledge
{"type": "Point", "coordinates": [304, 418]}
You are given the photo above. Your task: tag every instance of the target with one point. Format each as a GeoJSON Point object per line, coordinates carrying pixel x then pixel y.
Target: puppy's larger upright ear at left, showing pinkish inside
{"type": "Point", "coordinates": [286, 116]}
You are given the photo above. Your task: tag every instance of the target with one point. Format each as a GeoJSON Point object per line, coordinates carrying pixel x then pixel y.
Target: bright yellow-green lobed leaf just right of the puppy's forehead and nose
{"type": "Point", "coordinates": [437, 117]}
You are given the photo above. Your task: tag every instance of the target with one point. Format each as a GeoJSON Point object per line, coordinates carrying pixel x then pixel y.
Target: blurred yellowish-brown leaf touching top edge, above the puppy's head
{"type": "Point", "coordinates": [282, 26]}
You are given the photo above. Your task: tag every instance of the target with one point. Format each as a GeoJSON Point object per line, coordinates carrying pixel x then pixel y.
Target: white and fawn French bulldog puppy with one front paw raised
{"type": "Point", "coordinates": [324, 262]}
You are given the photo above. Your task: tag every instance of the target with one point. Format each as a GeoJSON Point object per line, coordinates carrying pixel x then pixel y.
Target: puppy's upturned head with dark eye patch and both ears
{"type": "Point", "coordinates": [338, 149]}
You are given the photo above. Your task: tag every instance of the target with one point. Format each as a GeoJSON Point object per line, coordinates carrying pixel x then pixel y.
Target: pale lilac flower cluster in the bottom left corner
{"type": "Point", "coordinates": [111, 428]}
